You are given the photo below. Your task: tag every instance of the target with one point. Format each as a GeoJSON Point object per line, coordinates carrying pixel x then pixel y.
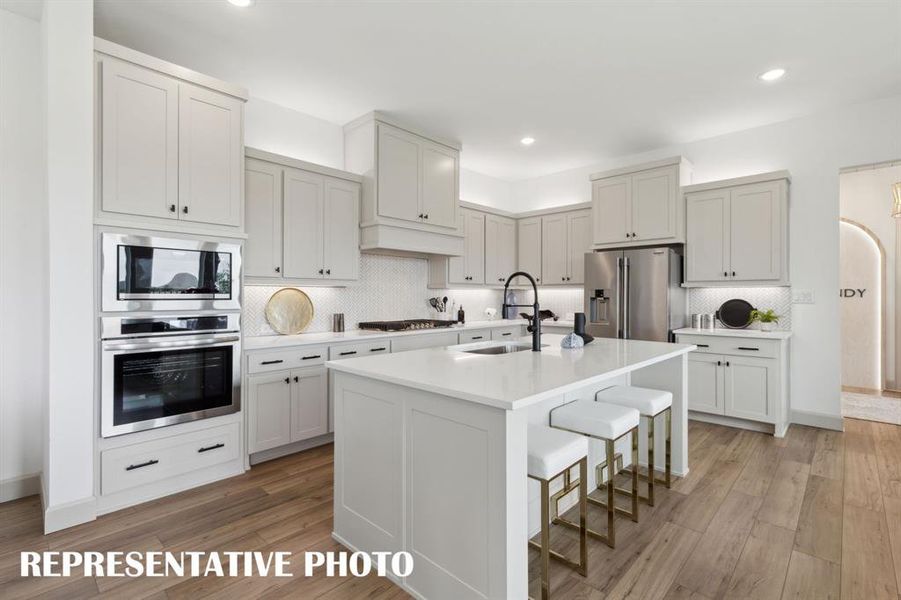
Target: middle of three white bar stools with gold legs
{"type": "Point", "coordinates": [607, 423]}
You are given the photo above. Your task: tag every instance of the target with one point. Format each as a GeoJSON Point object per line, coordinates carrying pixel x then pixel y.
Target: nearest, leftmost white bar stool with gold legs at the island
{"type": "Point", "coordinates": [553, 452]}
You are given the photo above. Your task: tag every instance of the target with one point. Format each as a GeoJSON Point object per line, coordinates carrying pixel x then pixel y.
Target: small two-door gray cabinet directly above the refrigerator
{"type": "Point", "coordinates": [639, 205]}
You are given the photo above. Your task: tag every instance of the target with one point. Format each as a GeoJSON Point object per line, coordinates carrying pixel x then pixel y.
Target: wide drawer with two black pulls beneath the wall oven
{"type": "Point", "coordinates": [147, 462]}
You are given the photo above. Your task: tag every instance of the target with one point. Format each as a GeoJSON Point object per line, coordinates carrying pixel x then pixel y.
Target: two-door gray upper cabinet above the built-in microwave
{"type": "Point", "coordinates": [170, 145]}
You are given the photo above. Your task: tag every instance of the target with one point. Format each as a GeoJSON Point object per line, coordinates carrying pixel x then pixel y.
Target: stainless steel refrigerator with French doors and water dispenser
{"type": "Point", "coordinates": [635, 293]}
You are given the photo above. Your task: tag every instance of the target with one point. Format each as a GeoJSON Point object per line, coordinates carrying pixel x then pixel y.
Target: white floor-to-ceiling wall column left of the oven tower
{"type": "Point", "coordinates": [68, 45]}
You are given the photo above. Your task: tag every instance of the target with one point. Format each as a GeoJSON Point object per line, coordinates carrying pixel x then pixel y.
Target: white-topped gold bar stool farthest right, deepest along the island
{"type": "Point", "coordinates": [650, 403]}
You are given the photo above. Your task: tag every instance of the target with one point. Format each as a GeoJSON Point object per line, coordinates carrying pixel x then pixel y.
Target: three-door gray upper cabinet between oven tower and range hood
{"type": "Point", "coordinates": [302, 222]}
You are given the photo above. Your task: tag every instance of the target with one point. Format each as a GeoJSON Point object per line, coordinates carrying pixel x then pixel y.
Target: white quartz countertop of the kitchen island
{"type": "Point", "coordinates": [515, 380]}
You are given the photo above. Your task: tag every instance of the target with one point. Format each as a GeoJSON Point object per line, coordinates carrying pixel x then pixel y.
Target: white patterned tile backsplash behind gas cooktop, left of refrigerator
{"type": "Point", "coordinates": [390, 288]}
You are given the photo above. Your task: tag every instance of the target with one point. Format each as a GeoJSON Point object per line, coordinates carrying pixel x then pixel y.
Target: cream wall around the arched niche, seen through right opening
{"type": "Point", "coordinates": [865, 196]}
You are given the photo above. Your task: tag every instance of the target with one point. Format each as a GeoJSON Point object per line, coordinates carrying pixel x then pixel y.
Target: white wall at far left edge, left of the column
{"type": "Point", "coordinates": [23, 256]}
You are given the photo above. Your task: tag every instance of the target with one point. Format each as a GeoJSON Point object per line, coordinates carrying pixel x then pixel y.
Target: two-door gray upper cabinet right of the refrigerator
{"type": "Point", "coordinates": [737, 231]}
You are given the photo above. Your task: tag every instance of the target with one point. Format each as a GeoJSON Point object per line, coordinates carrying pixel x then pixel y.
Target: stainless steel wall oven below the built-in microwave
{"type": "Point", "coordinates": [160, 371]}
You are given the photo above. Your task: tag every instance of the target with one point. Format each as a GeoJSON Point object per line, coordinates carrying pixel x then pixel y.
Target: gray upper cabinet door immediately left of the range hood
{"type": "Point", "coordinates": [342, 229]}
